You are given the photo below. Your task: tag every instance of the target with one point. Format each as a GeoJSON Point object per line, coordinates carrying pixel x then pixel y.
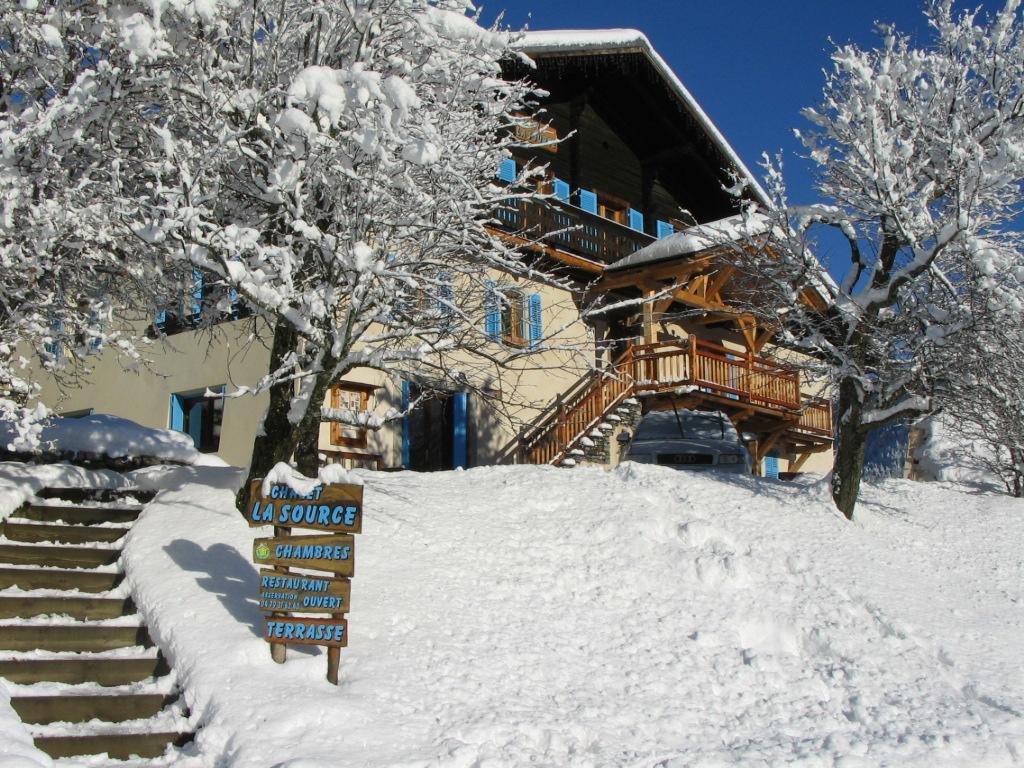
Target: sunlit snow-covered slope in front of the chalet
{"type": "Point", "coordinates": [526, 616]}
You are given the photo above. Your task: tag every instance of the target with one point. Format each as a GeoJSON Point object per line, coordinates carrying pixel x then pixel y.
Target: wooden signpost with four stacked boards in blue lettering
{"type": "Point", "coordinates": [336, 510]}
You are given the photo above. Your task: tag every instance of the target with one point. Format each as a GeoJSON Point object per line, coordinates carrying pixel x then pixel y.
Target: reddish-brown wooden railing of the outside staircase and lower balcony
{"type": "Point", "coordinates": [703, 366]}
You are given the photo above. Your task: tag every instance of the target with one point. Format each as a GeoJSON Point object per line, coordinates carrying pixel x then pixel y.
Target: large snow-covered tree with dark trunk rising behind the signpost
{"type": "Point", "coordinates": [329, 163]}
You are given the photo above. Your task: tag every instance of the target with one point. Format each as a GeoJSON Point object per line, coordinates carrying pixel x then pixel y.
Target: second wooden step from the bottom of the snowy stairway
{"type": "Point", "coordinates": [77, 709]}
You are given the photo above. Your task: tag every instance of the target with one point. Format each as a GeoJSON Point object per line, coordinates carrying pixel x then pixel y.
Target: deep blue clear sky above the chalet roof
{"type": "Point", "coordinates": [753, 66]}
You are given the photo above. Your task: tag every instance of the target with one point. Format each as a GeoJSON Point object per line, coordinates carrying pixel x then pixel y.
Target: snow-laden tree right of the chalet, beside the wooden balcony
{"type": "Point", "coordinates": [920, 152]}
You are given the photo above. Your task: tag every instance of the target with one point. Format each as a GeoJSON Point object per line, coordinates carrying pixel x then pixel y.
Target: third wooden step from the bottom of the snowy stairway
{"type": "Point", "coordinates": [78, 671]}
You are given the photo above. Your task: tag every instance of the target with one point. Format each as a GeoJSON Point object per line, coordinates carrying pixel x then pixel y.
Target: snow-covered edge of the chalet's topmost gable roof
{"type": "Point", "coordinates": [596, 41]}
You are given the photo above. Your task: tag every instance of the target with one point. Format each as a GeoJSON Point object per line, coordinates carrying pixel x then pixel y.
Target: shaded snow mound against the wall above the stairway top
{"type": "Point", "coordinates": [111, 437]}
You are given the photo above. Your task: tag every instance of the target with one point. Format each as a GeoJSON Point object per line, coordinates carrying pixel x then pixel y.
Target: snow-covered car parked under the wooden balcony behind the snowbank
{"type": "Point", "coordinates": [702, 441]}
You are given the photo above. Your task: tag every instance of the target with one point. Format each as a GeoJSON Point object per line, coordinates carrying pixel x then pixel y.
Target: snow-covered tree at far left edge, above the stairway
{"type": "Point", "coordinates": [62, 270]}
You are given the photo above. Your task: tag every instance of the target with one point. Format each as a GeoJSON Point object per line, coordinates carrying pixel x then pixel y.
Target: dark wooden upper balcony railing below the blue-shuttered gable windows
{"type": "Point", "coordinates": [571, 229]}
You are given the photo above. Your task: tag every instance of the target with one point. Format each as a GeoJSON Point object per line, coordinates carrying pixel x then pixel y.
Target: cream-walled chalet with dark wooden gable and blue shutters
{"type": "Point", "coordinates": [638, 152]}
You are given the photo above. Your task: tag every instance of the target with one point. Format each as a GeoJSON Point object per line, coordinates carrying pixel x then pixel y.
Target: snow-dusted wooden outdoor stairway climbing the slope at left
{"type": "Point", "coordinates": [83, 673]}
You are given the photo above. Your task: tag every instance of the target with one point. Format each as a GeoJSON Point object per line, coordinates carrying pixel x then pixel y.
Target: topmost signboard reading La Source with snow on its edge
{"type": "Point", "coordinates": [336, 509]}
